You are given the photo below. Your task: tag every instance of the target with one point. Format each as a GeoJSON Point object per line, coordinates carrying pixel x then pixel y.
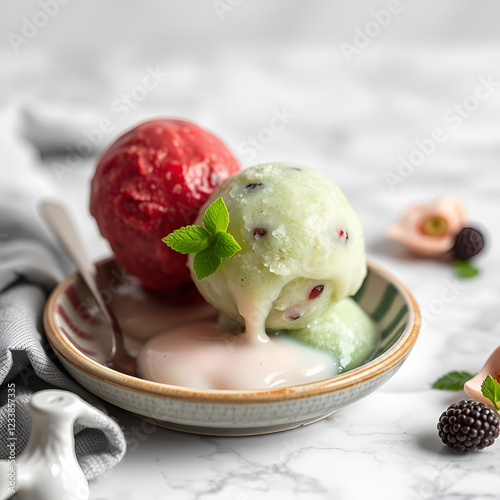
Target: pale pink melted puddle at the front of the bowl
{"type": "Point", "coordinates": [204, 355]}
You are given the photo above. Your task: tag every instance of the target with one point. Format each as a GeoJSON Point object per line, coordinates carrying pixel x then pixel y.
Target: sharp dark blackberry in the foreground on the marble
{"type": "Point", "coordinates": [468, 426]}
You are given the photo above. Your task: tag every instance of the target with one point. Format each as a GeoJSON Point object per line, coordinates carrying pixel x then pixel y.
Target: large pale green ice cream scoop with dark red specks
{"type": "Point", "coordinates": [302, 212]}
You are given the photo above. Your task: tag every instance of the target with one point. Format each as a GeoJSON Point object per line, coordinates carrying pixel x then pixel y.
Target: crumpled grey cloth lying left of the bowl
{"type": "Point", "coordinates": [29, 268]}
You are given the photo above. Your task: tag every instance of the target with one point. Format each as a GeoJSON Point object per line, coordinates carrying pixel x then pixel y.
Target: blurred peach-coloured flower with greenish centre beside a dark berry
{"type": "Point", "coordinates": [429, 229]}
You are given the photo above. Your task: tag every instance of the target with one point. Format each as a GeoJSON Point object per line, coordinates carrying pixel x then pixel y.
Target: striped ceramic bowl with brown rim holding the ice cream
{"type": "Point", "coordinates": [73, 331]}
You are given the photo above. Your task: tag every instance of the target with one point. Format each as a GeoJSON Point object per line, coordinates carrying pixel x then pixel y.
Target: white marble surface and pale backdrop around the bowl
{"type": "Point", "coordinates": [352, 119]}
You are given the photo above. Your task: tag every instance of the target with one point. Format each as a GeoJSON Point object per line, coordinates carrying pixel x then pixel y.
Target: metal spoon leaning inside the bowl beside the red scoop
{"type": "Point", "coordinates": [60, 221]}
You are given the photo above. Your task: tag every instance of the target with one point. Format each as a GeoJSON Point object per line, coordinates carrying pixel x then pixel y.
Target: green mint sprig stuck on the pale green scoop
{"type": "Point", "coordinates": [210, 243]}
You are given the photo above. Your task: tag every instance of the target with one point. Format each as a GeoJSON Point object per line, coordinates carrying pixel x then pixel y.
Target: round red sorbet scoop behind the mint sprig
{"type": "Point", "coordinates": [150, 181]}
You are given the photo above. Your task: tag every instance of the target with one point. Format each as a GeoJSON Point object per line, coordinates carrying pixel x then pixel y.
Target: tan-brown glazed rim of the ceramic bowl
{"type": "Point", "coordinates": [393, 356]}
